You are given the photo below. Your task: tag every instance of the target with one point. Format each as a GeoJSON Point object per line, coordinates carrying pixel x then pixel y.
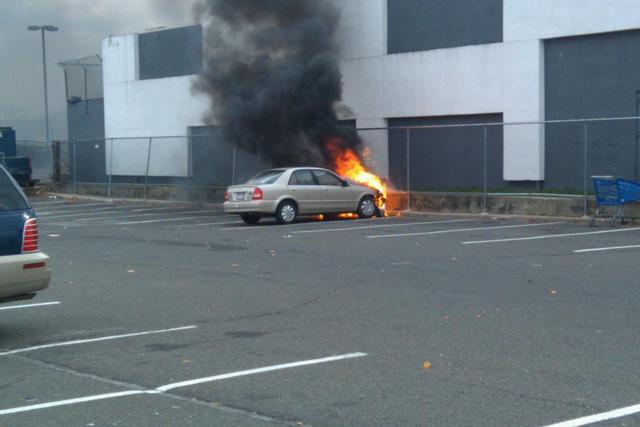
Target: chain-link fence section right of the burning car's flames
{"type": "Point", "coordinates": [481, 162]}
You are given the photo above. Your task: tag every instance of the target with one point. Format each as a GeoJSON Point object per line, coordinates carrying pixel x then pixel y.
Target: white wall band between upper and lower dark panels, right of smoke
{"type": "Point", "coordinates": [464, 80]}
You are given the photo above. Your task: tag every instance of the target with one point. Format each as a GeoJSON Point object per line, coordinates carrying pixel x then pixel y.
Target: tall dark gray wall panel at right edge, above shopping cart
{"type": "Point", "coordinates": [590, 77]}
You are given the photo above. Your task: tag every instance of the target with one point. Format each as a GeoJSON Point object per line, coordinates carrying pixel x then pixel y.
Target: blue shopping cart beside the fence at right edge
{"type": "Point", "coordinates": [615, 192]}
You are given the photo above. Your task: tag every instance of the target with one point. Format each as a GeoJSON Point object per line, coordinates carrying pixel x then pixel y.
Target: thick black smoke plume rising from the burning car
{"type": "Point", "coordinates": [272, 76]}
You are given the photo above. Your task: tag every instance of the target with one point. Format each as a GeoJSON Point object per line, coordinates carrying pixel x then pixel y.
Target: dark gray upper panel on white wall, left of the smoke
{"type": "Point", "coordinates": [169, 53]}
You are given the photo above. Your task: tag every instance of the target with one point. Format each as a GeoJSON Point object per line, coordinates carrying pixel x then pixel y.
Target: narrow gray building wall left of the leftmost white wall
{"type": "Point", "coordinates": [85, 122]}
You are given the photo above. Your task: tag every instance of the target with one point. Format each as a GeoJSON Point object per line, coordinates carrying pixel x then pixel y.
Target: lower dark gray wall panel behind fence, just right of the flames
{"type": "Point", "coordinates": [448, 158]}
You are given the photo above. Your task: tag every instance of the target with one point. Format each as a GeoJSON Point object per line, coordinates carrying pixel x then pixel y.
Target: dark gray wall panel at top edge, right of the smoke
{"type": "Point", "coordinates": [414, 25]}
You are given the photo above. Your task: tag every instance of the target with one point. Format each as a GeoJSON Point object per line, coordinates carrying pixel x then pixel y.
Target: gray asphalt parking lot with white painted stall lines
{"type": "Point", "coordinates": [180, 315]}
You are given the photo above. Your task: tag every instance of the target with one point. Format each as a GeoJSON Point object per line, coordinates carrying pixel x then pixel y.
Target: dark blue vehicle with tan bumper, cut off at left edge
{"type": "Point", "coordinates": [24, 269]}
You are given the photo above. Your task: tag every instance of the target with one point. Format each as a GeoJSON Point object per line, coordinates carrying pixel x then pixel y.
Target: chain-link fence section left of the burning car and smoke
{"type": "Point", "coordinates": [194, 167]}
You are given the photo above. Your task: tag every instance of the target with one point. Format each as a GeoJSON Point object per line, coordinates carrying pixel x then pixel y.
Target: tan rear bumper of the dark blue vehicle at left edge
{"type": "Point", "coordinates": [23, 274]}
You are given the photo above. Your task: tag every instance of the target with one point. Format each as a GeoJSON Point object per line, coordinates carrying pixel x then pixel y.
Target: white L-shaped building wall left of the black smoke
{"type": "Point", "coordinates": [143, 108]}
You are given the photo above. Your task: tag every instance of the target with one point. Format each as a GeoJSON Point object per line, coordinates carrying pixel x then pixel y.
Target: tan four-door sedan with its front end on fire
{"type": "Point", "coordinates": [287, 193]}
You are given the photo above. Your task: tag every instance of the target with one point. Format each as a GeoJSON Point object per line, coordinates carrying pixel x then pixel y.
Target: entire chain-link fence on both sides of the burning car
{"type": "Point", "coordinates": [466, 166]}
